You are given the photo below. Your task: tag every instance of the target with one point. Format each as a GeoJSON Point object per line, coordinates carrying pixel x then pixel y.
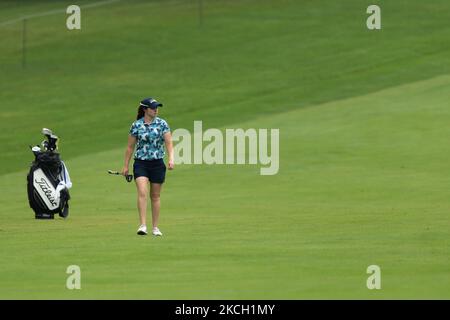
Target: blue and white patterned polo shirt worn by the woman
{"type": "Point", "coordinates": [150, 138]}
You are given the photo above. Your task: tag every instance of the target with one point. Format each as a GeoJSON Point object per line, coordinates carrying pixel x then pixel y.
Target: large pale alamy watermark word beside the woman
{"type": "Point", "coordinates": [235, 146]}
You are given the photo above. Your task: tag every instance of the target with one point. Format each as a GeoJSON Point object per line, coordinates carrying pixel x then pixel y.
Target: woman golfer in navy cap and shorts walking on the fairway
{"type": "Point", "coordinates": [149, 133]}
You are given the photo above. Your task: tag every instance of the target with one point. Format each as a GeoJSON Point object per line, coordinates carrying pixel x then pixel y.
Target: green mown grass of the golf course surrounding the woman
{"type": "Point", "coordinates": [363, 119]}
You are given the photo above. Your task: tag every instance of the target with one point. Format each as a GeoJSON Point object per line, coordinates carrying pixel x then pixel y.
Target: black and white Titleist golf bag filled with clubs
{"type": "Point", "coordinates": [48, 180]}
